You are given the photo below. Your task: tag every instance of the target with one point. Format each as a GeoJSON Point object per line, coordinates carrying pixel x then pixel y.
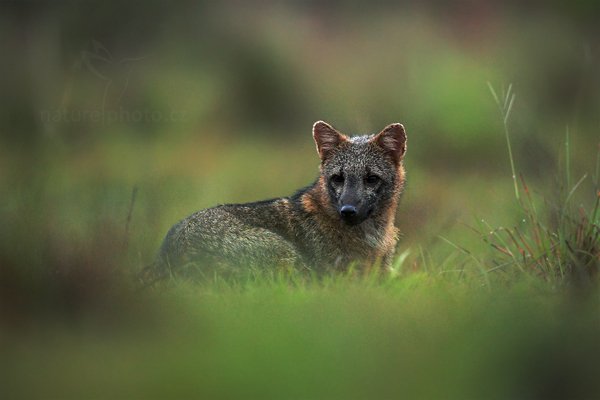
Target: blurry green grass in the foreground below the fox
{"type": "Point", "coordinates": [288, 336]}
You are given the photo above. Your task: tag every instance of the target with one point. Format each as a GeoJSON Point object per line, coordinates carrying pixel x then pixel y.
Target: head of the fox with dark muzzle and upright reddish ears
{"type": "Point", "coordinates": [362, 176]}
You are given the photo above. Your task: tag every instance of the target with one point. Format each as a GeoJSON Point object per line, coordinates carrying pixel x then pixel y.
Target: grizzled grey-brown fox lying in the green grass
{"type": "Point", "coordinates": [345, 217]}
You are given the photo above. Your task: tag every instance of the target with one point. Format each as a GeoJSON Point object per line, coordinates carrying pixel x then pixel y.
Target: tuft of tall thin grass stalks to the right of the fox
{"type": "Point", "coordinates": [555, 240]}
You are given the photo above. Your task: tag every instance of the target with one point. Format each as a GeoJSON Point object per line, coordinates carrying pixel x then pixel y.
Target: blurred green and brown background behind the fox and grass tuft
{"type": "Point", "coordinates": [120, 118]}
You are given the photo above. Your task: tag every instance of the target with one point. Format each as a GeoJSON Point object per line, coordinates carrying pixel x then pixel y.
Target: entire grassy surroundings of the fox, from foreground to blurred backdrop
{"type": "Point", "coordinates": [494, 291]}
